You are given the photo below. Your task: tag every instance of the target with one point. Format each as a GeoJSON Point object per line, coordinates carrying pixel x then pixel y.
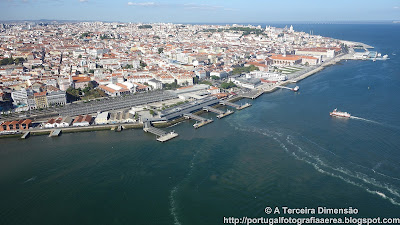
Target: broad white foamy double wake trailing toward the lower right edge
{"type": "Point", "coordinates": [326, 162]}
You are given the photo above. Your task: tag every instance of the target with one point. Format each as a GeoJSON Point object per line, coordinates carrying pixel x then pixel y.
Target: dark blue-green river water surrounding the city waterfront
{"type": "Point", "coordinates": [285, 150]}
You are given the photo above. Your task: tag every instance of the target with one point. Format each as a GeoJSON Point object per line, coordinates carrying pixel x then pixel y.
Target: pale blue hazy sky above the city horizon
{"type": "Point", "coordinates": [201, 11]}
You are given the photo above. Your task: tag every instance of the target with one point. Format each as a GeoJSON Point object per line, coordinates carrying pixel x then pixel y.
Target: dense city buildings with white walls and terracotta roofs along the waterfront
{"type": "Point", "coordinates": [46, 67]}
